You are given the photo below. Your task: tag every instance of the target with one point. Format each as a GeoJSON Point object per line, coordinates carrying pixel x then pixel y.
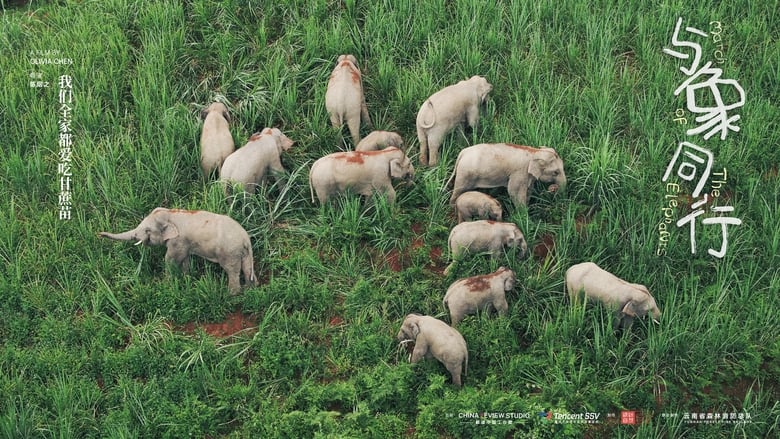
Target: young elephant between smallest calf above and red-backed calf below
{"type": "Point", "coordinates": [484, 236]}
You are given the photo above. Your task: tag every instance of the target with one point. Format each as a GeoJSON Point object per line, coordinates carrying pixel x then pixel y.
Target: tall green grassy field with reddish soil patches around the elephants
{"type": "Point", "coordinates": [100, 339]}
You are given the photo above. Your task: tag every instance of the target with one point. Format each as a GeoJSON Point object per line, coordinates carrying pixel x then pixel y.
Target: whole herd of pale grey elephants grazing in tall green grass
{"type": "Point", "coordinates": [377, 160]}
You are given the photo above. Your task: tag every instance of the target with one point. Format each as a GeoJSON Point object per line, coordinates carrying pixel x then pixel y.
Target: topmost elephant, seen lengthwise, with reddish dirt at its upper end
{"type": "Point", "coordinates": [344, 98]}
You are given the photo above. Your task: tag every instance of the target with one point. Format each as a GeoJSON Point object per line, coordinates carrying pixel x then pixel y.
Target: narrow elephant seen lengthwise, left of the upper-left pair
{"type": "Point", "coordinates": [216, 142]}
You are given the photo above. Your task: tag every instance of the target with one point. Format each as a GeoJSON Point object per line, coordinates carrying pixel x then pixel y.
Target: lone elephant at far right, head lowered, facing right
{"type": "Point", "coordinates": [628, 299]}
